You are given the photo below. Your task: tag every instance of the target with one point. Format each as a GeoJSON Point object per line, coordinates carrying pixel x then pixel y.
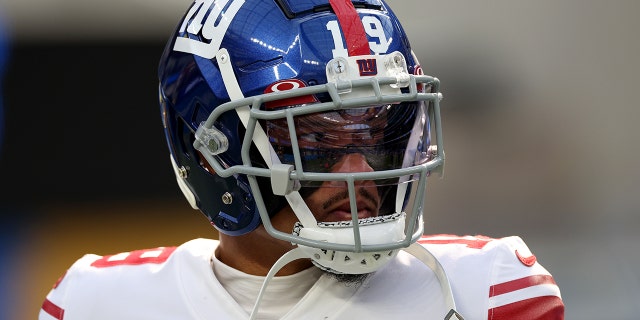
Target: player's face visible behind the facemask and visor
{"type": "Point", "coordinates": [335, 142]}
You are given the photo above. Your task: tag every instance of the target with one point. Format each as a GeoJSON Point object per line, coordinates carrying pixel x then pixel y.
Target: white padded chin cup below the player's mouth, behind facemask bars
{"type": "Point", "coordinates": [373, 231]}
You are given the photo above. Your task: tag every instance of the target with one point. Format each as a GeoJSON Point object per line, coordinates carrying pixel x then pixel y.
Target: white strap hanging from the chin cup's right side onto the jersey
{"type": "Point", "coordinates": [422, 254]}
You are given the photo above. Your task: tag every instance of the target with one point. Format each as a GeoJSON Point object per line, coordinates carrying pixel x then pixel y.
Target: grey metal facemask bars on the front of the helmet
{"type": "Point", "coordinates": [210, 142]}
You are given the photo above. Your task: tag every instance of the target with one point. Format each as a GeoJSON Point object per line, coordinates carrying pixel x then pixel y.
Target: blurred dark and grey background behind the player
{"type": "Point", "coordinates": [539, 116]}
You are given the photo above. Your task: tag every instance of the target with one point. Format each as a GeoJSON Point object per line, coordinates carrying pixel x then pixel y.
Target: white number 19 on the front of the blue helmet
{"type": "Point", "coordinates": [373, 28]}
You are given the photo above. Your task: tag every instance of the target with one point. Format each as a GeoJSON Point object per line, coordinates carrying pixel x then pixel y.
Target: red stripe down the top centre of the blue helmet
{"type": "Point", "coordinates": [352, 28]}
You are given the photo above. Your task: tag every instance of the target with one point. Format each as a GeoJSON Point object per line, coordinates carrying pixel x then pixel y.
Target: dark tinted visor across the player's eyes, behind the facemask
{"type": "Point", "coordinates": [387, 137]}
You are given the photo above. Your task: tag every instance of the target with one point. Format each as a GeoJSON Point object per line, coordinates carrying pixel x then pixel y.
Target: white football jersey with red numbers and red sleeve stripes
{"type": "Point", "coordinates": [490, 279]}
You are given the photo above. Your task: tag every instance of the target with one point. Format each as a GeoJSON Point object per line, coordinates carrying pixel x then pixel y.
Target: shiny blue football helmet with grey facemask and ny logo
{"type": "Point", "coordinates": [269, 103]}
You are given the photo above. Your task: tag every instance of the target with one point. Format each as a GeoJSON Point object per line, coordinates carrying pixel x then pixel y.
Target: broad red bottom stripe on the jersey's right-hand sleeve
{"type": "Point", "coordinates": [539, 308]}
